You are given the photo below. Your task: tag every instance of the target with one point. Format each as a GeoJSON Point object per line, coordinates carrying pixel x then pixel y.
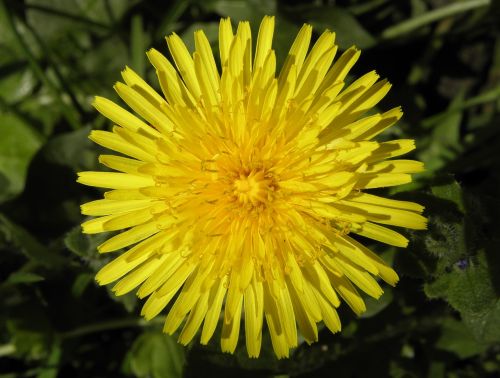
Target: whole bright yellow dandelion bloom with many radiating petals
{"type": "Point", "coordinates": [241, 188]}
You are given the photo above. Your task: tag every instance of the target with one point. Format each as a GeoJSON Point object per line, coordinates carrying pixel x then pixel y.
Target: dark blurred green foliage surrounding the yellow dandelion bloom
{"type": "Point", "coordinates": [442, 320]}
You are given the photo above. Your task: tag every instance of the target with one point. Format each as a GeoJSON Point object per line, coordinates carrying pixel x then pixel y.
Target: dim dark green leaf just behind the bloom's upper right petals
{"type": "Point", "coordinates": [348, 30]}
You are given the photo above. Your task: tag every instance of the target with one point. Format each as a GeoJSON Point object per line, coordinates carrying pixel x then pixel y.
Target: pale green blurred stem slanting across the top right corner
{"type": "Point", "coordinates": [431, 16]}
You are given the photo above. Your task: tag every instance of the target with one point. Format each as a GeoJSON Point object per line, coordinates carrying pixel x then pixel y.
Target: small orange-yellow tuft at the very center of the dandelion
{"type": "Point", "coordinates": [252, 188]}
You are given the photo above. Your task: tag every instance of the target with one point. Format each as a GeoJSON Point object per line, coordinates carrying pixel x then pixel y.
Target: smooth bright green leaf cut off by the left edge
{"type": "Point", "coordinates": [18, 145]}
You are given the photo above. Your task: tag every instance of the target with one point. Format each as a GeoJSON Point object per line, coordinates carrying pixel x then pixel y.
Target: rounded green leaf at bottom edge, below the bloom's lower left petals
{"type": "Point", "coordinates": [157, 355]}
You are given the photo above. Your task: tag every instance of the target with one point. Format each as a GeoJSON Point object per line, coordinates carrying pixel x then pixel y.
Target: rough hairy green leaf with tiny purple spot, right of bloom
{"type": "Point", "coordinates": [463, 275]}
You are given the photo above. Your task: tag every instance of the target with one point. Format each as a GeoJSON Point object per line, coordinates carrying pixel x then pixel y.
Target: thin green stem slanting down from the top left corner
{"type": "Point", "coordinates": [37, 69]}
